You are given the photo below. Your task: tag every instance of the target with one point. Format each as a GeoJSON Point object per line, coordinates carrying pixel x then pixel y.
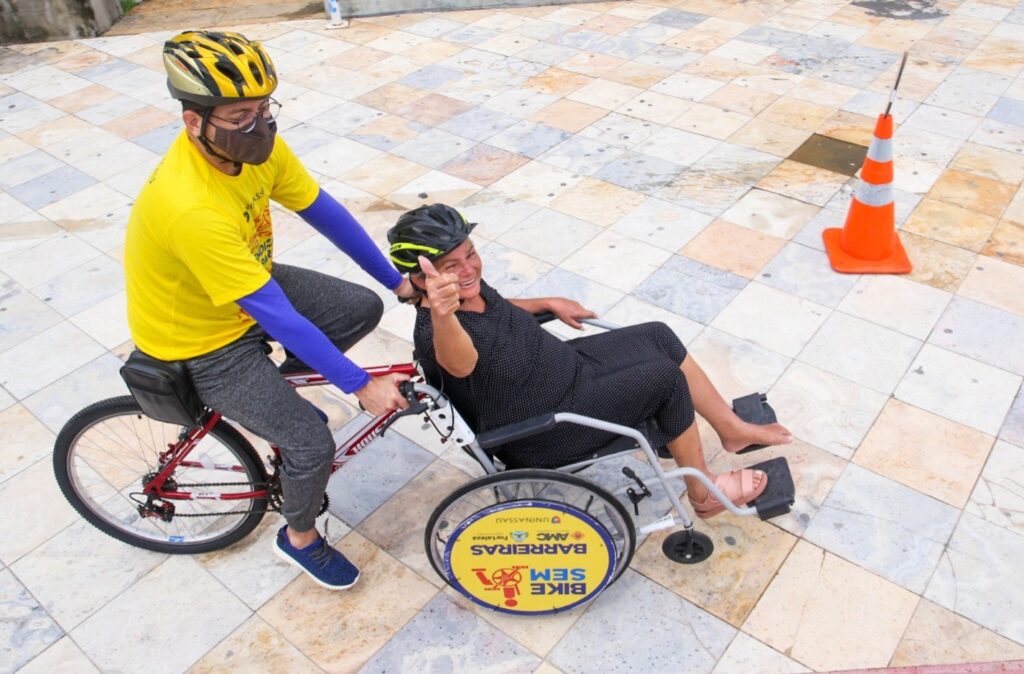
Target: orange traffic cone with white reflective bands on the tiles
{"type": "Point", "coordinates": [868, 243]}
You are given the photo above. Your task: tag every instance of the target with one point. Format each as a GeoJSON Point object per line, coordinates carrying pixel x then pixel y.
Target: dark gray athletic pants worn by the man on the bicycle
{"type": "Point", "coordinates": [241, 383]}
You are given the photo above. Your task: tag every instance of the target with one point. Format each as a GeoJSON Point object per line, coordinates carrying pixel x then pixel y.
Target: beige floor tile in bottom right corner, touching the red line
{"type": "Point", "coordinates": [938, 637]}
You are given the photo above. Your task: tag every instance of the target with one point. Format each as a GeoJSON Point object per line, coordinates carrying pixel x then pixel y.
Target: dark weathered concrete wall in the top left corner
{"type": "Point", "coordinates": [37, 21]}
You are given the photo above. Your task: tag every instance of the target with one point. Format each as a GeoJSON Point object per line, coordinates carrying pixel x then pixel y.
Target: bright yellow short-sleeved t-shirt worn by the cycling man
{"type": "Point", "coordinates": [199, 240]}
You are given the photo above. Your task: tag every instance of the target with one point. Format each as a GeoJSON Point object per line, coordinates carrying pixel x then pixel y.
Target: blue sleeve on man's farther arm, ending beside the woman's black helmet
{"type": "Point", "coordinates": [334, 222]}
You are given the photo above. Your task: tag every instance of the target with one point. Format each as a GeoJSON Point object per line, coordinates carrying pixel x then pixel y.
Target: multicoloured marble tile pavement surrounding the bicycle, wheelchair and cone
{"type": "Point", "coordinates": [632, 155]}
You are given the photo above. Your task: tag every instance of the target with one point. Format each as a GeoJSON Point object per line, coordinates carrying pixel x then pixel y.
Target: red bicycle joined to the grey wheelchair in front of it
{"type": "Point", "coordinates": [192, 484]}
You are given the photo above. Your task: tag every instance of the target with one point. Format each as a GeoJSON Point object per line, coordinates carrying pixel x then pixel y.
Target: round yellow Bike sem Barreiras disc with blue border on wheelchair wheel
{"type": "Point", "coordinates": [530, 558]}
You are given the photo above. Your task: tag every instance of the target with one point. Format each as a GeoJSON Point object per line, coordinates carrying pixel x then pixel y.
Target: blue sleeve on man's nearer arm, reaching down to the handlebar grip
{"type": "Point", "coordinates": [272, 310]}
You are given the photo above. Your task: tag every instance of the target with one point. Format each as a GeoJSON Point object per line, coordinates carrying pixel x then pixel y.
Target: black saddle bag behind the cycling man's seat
{"type": "Point", "coordinates": [163, 390]}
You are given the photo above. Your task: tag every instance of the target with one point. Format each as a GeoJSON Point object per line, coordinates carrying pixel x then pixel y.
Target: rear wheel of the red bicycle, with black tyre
{"type": "Point", "coordinates": [108, 452]}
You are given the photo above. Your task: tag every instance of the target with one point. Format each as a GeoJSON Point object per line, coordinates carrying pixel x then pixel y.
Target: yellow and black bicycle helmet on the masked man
{"type": "Point", "coordinates": [214, 69]}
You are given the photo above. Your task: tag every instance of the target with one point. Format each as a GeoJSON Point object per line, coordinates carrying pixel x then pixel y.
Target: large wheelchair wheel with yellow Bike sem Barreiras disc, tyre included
{"type": "Point", "coordinates": [530, 541]}
